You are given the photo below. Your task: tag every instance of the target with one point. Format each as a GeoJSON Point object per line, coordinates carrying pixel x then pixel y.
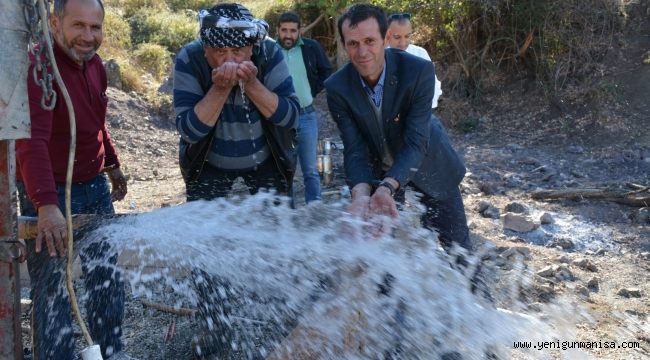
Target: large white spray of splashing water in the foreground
{"type": "Point", "coordinates": [308, 277]}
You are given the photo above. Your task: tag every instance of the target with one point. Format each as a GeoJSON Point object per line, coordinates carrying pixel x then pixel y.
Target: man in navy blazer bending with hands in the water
{"type": "Point", "coordinates": [381, 102]}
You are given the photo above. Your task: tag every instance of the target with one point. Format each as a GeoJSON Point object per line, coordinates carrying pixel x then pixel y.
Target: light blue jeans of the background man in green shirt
{"type": "Point", "coordinates": [307, 145]}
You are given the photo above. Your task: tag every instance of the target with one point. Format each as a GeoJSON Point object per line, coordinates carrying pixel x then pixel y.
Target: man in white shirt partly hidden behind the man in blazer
{"type": "Point", "coordinates": [399, 35]}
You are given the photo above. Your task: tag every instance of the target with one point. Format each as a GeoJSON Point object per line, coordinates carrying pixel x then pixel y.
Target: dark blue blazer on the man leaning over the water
{"type": "Point", "coordinates": [416, 139]}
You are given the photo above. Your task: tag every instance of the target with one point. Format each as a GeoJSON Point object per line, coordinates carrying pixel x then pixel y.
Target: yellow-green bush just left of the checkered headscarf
{"type": "Point", "coordinates": [163, 27]}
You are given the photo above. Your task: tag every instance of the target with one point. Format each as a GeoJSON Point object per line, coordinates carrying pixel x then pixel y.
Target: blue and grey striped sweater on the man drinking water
{"type": "Point", "coordinates": [240, 142]}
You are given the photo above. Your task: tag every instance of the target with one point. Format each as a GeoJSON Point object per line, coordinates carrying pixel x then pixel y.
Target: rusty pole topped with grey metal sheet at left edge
{"type": "Point", "coordinates": [14, 124]}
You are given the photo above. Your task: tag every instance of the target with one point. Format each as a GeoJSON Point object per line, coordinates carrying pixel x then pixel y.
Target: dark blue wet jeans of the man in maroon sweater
{"type": "Point", "coordinates": [52, 333]}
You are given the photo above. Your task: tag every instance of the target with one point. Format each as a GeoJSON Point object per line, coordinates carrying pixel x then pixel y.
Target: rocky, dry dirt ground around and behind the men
{"type": "Point", "coordinates": [595, 254]}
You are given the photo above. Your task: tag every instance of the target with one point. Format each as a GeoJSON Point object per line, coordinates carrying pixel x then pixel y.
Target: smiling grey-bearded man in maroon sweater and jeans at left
{"type": "Point", "coordinates": [76, 27]}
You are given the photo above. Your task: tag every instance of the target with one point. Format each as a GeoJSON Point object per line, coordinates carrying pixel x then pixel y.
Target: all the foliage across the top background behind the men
{"type": "Point", "coordinates": [554, 42]}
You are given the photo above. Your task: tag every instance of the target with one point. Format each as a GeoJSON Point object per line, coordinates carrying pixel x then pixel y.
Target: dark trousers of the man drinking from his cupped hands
{"type": "Point", "coordinates": [215, 183]}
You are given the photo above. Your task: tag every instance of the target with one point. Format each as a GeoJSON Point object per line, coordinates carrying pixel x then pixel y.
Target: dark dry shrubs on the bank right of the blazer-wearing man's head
{"type": "Point", "coordinates": [553, 42]}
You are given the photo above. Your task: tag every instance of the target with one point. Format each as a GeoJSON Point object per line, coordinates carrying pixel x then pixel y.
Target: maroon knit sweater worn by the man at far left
{"type": "Point", "coordinates": [43, 159]}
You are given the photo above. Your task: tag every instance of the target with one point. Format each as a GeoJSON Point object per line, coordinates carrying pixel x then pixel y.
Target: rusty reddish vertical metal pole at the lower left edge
{"type": "Point", "coordinates": [10, 334]}
